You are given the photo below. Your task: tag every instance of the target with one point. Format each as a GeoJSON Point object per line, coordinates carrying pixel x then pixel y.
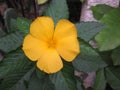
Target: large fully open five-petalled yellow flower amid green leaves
{"type": "Point", "coordinates": [46, 45]}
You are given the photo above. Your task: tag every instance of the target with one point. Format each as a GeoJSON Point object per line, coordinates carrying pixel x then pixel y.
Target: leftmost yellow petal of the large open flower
{"type": "Point", "coordinates": [33, 48]}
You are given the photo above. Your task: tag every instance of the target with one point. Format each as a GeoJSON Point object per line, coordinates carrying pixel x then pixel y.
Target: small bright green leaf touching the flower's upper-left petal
{"type": "Point", "coordinates": [24, 24]}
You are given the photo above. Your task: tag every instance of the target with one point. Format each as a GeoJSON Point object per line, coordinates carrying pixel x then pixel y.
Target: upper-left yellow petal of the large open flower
{"type": "Point", "coordinates": [42, 28]}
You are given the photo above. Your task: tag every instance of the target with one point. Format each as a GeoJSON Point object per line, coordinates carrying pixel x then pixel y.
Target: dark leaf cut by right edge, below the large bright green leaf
{"type": "Point", "coordinates": [116, 56]}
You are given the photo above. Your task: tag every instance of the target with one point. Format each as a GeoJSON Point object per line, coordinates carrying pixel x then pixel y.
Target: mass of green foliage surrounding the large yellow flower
{"type": "Point", "coordinates": [17, 72]}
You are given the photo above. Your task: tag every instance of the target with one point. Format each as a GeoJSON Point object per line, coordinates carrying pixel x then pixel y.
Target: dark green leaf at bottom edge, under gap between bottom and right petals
{"type": "Point", "coordinates": [64, 79]}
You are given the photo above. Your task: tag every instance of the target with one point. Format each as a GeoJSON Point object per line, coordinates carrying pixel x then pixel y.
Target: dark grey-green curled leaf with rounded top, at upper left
{"type": "Point", "coordinates": [9, 15]}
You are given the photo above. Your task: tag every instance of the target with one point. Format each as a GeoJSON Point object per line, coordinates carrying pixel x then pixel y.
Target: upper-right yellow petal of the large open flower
{"type": "Point", "coordinates": [65, 28]}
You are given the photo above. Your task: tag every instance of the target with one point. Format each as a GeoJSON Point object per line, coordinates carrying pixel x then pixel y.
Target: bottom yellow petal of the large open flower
{"type": "Point", "coordinates": [50, 62]}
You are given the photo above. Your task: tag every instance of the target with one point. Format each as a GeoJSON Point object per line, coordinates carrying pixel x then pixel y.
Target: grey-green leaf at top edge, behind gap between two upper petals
{"type": "Point", "coordinates": [57, 10]}
